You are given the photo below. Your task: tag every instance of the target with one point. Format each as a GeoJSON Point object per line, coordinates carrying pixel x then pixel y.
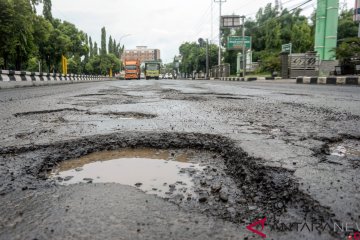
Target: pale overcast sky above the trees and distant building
{"type": "Point", "coordinates": [161, 24]}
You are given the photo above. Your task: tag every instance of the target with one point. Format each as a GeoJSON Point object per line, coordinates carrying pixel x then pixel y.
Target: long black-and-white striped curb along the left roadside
{"type": "Point", "coordinates": [11, 79]}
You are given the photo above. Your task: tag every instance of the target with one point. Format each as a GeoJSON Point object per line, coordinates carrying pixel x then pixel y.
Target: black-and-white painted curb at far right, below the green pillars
{"type": "Point", "coordinates": [349, 80]}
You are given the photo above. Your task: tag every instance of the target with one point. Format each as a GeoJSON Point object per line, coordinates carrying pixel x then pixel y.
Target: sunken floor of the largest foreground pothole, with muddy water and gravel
{"type": "Point", "coordinates": [191, 178]}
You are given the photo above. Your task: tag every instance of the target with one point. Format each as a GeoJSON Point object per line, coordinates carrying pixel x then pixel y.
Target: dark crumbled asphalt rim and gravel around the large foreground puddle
{"type": "Point", "coordinates": [229, 185]}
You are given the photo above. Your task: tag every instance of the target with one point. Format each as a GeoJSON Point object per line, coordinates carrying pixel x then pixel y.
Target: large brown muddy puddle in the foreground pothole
{"type": "Point", "coordinates": [160, 172]}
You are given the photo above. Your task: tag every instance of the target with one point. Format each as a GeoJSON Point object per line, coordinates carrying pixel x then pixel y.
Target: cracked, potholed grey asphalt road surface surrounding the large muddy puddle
{"type": "Point", "coordinates": [290, 153]}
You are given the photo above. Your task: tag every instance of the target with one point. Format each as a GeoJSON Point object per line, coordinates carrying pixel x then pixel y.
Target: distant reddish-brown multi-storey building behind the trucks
{"type": "Point", "coordinates": [142, 53]}
